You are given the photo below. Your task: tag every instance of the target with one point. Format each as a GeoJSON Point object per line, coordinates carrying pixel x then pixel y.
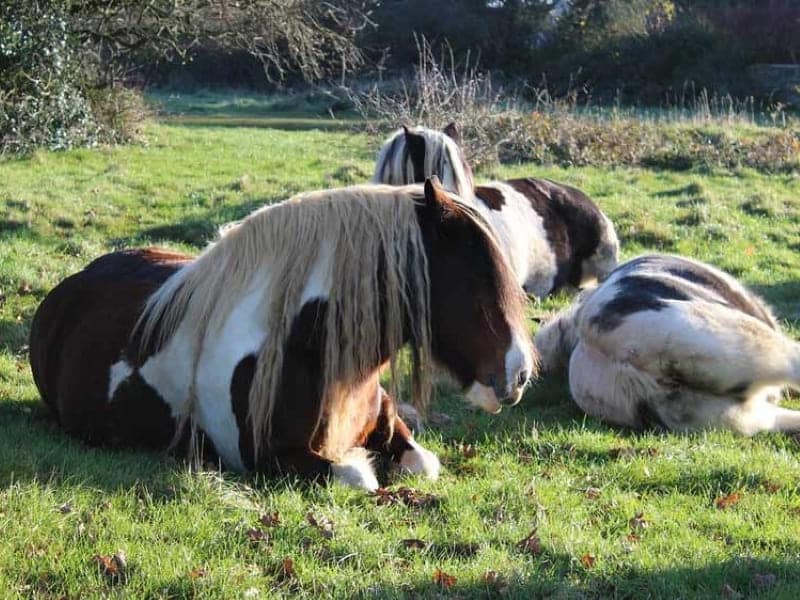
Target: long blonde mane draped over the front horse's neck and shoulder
{"type": "Point", "coordinates": [358, 229]}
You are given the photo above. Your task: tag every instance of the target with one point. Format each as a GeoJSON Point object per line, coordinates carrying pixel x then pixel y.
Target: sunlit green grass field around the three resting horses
{"type": "Point", "coordinates": [606, 513]}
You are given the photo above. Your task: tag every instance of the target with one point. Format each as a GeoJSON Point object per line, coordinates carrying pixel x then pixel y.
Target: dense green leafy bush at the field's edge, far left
{"type": "Point", "coordinates": [47, 96]}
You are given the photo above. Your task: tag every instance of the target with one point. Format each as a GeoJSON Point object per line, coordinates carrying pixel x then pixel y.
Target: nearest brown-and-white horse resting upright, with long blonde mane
{"type": "Point", "coordinates": [269, 345]}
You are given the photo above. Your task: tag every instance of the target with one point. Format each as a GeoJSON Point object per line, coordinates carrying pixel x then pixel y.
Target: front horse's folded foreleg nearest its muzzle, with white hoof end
{"type": "Point", "coordinates": [398, 442]}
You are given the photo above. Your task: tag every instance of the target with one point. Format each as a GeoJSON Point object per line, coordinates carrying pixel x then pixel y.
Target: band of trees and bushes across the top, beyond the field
{"type": "Point", "coordinates": [72, 71]}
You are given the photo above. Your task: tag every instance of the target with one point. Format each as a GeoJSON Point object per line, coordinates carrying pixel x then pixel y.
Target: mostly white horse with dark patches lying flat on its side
{"type": "Point", "coordinates": [671, 342]}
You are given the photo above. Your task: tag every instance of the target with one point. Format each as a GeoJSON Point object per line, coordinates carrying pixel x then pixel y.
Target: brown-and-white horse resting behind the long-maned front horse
{"type": "Point", "coordinates": [554, 236]}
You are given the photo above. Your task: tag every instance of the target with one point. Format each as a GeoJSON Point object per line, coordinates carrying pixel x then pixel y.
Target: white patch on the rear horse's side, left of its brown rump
{"type": "Point", "coordinates": [522, 236]}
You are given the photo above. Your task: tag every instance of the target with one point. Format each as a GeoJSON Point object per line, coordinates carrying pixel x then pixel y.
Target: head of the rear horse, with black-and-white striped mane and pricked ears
{"type": "Point", "coordinates": [413, 154]}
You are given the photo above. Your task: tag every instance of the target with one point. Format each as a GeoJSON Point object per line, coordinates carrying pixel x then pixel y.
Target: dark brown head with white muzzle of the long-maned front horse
{"type": "Point", "coordinates": [477, 323]}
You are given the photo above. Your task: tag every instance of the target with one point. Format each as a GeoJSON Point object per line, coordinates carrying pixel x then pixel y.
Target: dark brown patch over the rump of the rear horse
{"type": "Point", "coordinates": [573, 224]}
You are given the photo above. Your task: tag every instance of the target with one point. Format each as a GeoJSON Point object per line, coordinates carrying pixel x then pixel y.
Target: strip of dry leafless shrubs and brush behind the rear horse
{"type": "Point", "coordinates": [697, 129]}
